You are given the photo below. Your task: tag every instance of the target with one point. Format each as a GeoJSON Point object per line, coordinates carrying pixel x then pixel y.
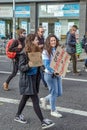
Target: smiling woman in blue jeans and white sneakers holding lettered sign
{"type": "Point", "coordinates": [53, 80]}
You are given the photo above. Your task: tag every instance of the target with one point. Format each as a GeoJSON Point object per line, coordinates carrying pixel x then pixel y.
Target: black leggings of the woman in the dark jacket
{"type": "Point", "coordinates": [36, 106]}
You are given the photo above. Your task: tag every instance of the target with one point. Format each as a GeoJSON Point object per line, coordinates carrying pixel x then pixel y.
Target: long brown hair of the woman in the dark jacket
{"type": "Point", "coordinates": [29, 46]}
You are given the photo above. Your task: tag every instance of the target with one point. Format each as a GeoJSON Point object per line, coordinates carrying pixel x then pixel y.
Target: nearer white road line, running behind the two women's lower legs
{"type": "Point", "coordinates": [62, 109]}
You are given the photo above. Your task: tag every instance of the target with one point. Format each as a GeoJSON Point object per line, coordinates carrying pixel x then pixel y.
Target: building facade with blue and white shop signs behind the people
{"type": "Point", "coordinates": [56, 16]}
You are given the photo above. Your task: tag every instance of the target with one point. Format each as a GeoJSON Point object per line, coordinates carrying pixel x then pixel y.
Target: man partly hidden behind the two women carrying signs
{"type": "Point", "coordinates": [40, 33]}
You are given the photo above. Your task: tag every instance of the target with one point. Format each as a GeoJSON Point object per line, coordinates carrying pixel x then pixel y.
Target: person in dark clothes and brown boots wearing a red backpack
{"type": "Point", "coordinates": [15, 47]}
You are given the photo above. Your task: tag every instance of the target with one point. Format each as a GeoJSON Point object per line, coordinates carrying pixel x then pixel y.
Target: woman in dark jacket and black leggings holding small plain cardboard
{"type": "Point", "coordinates": [27, 82]}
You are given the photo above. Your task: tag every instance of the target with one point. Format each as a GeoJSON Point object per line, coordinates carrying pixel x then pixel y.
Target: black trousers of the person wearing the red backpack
{"type": "Point", "coordinates": [14, 71]}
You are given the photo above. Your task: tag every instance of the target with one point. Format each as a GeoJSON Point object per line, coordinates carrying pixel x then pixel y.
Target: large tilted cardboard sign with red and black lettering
{"type": "Point", "coordinates": [60, 61]}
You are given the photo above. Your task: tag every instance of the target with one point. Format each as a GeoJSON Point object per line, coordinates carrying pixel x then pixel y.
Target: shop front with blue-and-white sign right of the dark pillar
{"type": "Point", "coordinates": [58, 18]}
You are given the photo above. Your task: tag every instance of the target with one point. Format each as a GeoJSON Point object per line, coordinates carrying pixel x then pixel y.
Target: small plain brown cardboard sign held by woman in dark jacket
{"type": "Point", "coordinates": [35, 58]}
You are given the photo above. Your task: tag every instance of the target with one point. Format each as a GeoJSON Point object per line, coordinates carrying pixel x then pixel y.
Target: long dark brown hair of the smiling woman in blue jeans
{"type": "Point", "coordinates": [47, 43]}
